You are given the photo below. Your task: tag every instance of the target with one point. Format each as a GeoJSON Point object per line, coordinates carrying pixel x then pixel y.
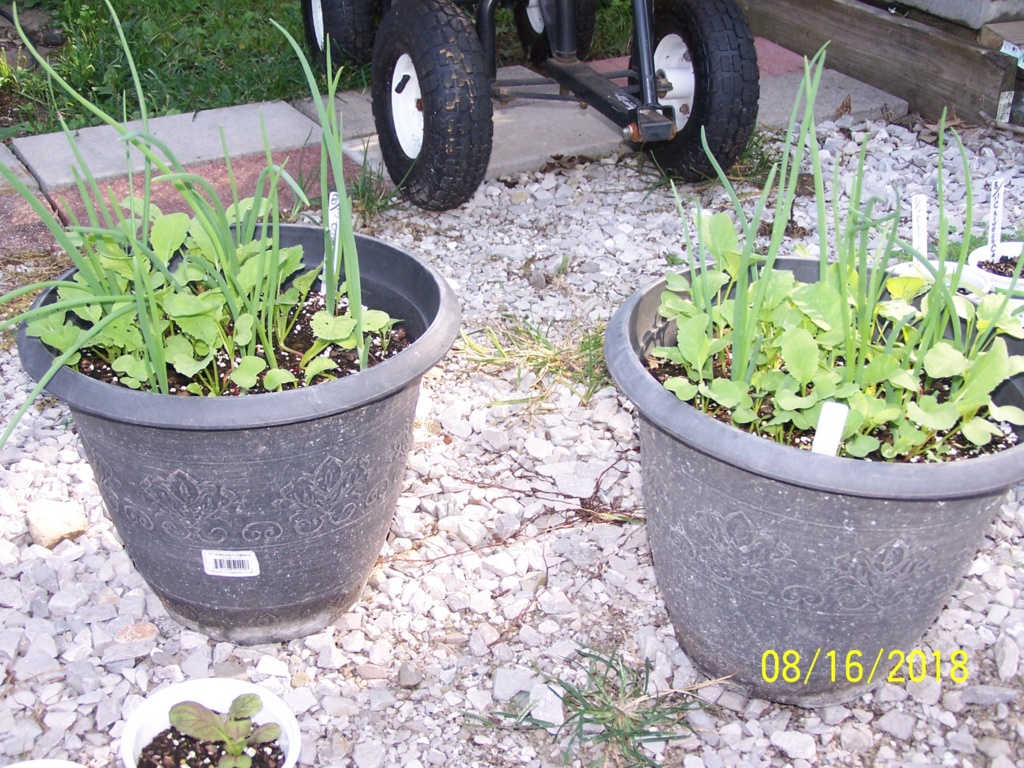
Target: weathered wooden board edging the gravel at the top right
{"type": "Point", "coordinates": [928, 68]}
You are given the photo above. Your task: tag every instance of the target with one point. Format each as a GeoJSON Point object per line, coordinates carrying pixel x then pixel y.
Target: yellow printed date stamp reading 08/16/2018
{"type": "Point", "coordinates": [789, 667]}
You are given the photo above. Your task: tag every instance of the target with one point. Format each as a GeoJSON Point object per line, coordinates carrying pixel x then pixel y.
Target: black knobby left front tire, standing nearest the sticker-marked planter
{"type": "Point", "coordinates": [454, 103]}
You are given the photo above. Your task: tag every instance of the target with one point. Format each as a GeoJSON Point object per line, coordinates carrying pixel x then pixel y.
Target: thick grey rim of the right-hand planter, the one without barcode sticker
{"type": "Point", "coordinates": [978, 477]}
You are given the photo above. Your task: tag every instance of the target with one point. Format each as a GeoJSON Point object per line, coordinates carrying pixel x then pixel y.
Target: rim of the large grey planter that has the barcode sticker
{"type": "Point", "coordinates": [426, 288]}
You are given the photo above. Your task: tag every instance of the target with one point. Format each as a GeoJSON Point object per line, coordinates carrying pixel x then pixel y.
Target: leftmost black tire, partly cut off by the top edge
{"type": "Point", "coordinates": [350, 25]}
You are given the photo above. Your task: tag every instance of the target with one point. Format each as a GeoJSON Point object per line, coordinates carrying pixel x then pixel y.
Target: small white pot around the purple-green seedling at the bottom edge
{"type": "Point", "coordinates": [152, 716]}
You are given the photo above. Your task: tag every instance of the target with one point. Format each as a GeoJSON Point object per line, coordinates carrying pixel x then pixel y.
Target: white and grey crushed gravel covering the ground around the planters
{"type": "Point", "coordinates": [492, 578]}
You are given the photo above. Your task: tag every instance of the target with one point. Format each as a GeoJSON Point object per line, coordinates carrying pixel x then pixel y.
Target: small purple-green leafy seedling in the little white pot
{"type": "Point", "coordinates": [236, 730]}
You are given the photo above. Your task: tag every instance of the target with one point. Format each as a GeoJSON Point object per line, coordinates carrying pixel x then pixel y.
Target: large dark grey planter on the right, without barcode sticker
{"type": "Point", "coordinates": [761, 549]}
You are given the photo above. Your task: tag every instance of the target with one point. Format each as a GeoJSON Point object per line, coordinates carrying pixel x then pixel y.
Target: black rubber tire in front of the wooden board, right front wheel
{"type": "Point", "coordinates": [727, 86]}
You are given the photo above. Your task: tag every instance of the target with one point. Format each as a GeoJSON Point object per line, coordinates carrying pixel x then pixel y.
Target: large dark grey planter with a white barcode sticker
{"type": "Point", "coordinates": [302, 486]}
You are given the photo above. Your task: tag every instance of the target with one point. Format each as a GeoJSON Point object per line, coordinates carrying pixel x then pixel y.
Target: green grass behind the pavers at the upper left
{"type": "Point", "coordinates": [191, 56]}
